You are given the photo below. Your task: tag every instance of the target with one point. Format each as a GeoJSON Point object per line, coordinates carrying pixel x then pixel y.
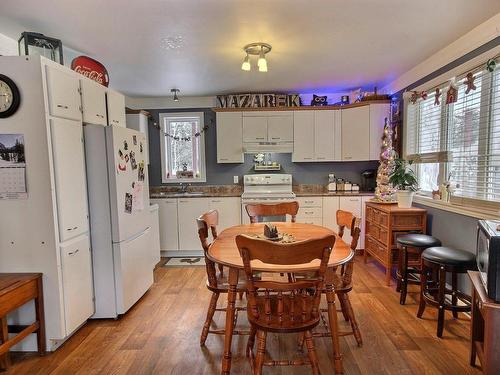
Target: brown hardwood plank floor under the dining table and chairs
{"type": "Point", "coordinates": [160, 335]}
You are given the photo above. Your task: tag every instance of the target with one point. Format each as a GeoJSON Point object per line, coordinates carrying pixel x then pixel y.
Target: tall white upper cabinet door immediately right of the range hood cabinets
{"type": "Point", "coordinates": [303, 136]}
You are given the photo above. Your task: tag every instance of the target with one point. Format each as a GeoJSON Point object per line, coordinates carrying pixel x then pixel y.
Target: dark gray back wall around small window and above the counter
{"type": "Point", "coordinates": [222, 174]}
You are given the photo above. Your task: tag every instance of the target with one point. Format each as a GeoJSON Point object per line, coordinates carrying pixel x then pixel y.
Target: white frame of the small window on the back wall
{"type": "Point", "coordinates": [164, 118]}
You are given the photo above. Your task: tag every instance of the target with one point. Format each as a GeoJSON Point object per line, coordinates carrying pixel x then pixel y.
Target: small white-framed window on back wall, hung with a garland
{"type": "Point", "coordinates": [182, 147]}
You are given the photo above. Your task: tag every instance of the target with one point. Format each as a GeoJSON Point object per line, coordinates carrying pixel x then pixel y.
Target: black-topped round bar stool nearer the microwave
{"type": "Point", "coordinates": [436, 262]}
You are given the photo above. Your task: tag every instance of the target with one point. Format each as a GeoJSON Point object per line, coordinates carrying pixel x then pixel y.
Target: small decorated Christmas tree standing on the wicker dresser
{"type": "Point", "coordinates": [384, 191]}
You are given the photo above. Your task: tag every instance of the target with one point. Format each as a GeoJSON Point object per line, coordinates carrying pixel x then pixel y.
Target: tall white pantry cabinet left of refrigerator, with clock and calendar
{"type": "Point", "coordinates": [48, 232]}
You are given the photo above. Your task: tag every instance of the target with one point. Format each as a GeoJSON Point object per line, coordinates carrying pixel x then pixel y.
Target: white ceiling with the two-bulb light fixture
{"type": "Point", "coordinates": [318, 45]}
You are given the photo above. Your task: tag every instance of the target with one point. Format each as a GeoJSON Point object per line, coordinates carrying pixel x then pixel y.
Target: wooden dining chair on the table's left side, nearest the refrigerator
{"type": "Point", "coordinates": [217, 283]}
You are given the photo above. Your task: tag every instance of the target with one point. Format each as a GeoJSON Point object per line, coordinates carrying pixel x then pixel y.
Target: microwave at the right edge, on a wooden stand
{"type": "Point", "coordinates": [488, 256]}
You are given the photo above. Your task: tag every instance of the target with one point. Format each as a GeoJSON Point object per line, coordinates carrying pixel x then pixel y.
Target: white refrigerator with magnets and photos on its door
{"type": "Point", "coordinates": [120, 229]}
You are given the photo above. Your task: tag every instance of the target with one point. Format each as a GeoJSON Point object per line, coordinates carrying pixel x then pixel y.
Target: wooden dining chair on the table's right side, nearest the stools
{"type": "Point", "coordinates": [343, 279]}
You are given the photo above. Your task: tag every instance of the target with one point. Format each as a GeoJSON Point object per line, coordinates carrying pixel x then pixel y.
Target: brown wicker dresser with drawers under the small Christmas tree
{"type": "Point", "coordinates": [384, 223]}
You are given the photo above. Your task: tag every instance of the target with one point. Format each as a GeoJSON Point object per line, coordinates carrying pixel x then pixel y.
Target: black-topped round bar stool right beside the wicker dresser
{"type": "Point", "coordinates": [409, 243]}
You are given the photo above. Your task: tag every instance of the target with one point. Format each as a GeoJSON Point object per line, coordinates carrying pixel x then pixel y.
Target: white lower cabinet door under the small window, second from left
{"type": "Point", "coordinates": [189, 210]}
